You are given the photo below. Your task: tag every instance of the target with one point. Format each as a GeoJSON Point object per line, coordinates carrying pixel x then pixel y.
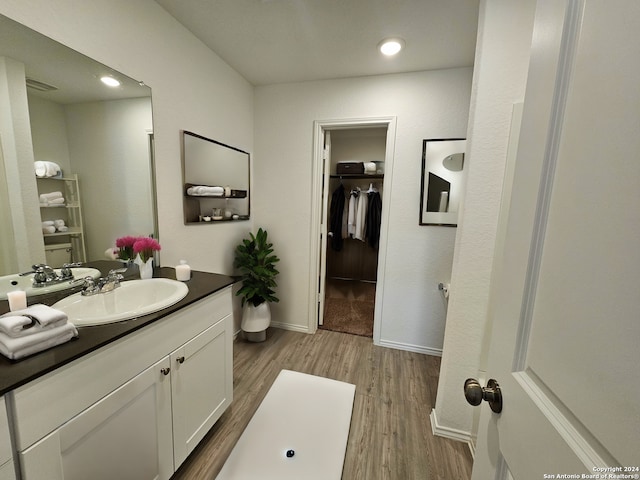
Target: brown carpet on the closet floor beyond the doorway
{"type": "Point", "coordinates": [349, 307]}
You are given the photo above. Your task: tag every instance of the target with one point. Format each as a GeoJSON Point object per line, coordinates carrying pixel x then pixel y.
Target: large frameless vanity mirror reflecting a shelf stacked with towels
{"type": "Point", "coordinates": [55, 109]}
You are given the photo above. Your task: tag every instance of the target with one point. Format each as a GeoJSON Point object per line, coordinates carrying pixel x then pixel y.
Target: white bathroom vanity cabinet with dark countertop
{"type": "Point", "coordinates": [126, 400]}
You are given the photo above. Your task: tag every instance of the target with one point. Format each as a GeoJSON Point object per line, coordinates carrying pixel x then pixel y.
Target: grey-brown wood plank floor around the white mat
{"type": "Point", "coordinates": [390, 436]}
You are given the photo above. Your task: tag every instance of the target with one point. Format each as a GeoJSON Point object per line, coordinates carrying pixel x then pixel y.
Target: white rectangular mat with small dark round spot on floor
{"type": "Point", "coordinates": [299, 431]}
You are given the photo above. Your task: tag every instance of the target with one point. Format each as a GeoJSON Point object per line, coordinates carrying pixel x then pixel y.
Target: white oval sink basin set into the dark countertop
{"type": "Point", "coordinates": [133, 298]}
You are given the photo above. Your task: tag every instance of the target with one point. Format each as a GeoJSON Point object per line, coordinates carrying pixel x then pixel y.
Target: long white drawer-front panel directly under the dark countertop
{"type": "Point", "coordinates": [43, 405]}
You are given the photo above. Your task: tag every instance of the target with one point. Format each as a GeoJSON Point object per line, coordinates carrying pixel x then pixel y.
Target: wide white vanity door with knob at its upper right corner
{"type": "Point", "coordinates": [126, 435]}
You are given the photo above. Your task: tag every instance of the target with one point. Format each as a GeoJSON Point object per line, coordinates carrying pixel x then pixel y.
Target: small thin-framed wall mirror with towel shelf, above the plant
{"type": "Point", "coordinates": [215, 181]}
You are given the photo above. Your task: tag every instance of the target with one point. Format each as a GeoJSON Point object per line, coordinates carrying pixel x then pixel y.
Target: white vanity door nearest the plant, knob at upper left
{"type": "Point", "coordinates": [201, 385]}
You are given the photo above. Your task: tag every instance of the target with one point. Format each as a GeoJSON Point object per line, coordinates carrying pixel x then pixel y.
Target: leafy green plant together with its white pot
{"type": "Point", "coordinates": [256, 261]}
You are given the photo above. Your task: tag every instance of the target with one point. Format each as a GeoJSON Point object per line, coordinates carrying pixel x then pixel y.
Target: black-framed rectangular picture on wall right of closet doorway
{"type": "Point", "coordinates": [443, 170]}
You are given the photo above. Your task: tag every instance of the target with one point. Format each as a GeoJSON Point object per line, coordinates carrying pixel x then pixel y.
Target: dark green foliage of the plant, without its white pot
{"type": "Point", "coordinates": [256, 261]}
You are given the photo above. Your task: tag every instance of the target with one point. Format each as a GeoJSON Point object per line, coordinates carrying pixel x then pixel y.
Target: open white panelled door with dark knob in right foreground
{"type": "Point", "coordinates": [566, 296]}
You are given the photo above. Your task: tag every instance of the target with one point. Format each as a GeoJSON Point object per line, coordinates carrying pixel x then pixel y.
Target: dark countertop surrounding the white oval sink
{"type": "Point", "coordinates": [14, 373]}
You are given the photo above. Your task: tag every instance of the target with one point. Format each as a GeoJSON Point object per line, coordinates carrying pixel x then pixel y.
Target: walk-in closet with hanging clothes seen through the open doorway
{"type": "Point", "coordinates": [353, 216]}
